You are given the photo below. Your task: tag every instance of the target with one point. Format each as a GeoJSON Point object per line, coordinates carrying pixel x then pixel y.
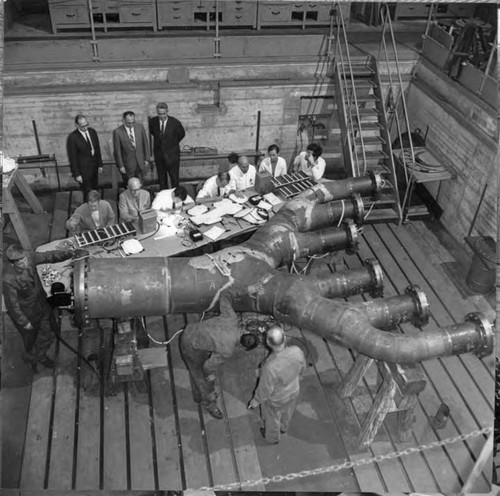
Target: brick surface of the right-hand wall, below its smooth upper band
{"type": "Point", "coordinates": [470, 153]}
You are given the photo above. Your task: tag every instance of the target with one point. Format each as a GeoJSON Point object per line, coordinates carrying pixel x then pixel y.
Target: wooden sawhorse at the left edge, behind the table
{"type": "Point", "coordinates": [16, 178]}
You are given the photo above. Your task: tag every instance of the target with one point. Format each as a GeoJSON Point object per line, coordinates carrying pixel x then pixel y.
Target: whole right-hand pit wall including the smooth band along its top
{"type": "Point", "coordinates": [463, 135]}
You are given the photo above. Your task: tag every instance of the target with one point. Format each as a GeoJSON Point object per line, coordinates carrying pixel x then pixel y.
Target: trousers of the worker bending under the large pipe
{"type": "Point", "coordinates": [194, 359]}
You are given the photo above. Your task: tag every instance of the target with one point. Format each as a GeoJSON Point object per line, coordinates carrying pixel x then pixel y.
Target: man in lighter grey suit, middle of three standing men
{"type": "Point", "coordinates": [131, 148]}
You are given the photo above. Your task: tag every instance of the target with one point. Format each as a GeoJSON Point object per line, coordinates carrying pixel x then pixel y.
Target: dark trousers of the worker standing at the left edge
{"type": "Point", "coordinates": [38, 341]}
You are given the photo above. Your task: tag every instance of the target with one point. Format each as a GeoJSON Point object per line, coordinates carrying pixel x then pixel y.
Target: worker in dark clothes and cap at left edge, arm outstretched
{"type": "Point", "coordinates": [26, 301]}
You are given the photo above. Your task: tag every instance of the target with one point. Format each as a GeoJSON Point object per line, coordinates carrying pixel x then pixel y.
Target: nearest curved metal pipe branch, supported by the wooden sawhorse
{"type": "Point", "coordinates": [349, 325]}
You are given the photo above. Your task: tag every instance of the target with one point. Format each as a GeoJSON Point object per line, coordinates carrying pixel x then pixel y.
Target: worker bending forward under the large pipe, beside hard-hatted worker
{"type": "Point", "coordinates": [204, 346]}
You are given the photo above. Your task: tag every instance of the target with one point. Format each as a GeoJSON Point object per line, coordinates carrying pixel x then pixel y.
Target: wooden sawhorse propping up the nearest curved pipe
{"type": "Point", "coordinates": [398, 392]}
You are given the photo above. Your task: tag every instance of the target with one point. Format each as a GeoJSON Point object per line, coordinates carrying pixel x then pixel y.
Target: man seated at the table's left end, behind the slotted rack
{"type": "Point", "coordinates": [93, 214]}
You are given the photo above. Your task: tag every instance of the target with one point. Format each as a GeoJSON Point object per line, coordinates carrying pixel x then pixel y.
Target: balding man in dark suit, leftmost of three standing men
{"type": "Point", "coordinates": [84, 154]}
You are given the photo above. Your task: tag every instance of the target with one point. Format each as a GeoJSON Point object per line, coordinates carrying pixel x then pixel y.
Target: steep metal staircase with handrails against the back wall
{"type": "Point", "coordinates": [362, 108]}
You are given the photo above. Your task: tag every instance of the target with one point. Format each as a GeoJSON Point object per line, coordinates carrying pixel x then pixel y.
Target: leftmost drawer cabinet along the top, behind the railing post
{"type": "Point", "coordinates": [73, 14]}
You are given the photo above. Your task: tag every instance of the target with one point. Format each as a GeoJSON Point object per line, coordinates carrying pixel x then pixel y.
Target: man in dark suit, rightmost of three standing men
{"type": "Point", "coordinates": [167, 133]}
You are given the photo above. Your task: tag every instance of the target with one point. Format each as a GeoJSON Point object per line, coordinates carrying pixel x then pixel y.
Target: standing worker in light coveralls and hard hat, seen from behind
{"type": "Point", "coordinates": [278, 387]}
